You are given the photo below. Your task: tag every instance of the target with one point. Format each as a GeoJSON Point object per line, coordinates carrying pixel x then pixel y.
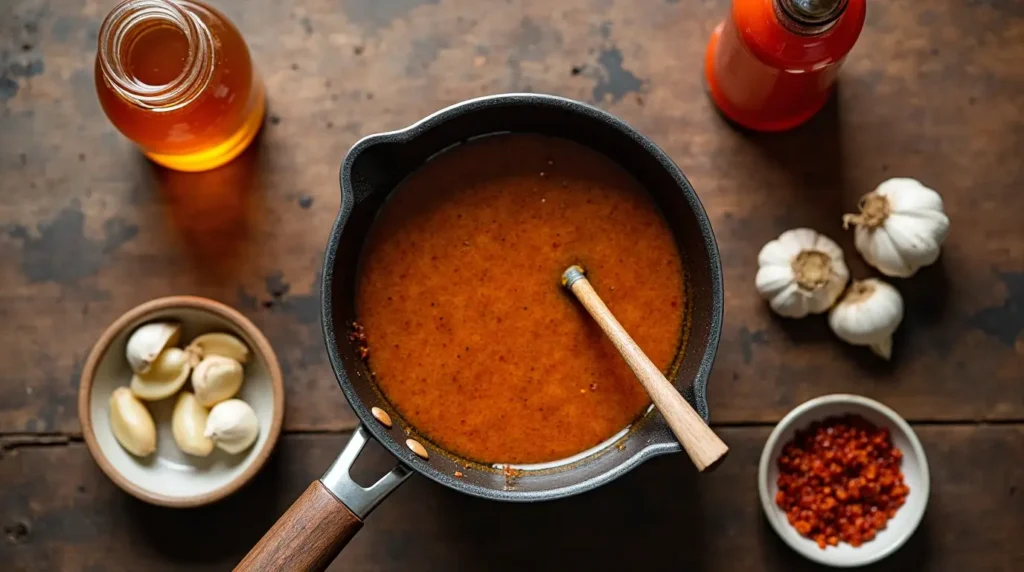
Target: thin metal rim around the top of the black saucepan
{"type": "Point", "coordinates": [410, 134]}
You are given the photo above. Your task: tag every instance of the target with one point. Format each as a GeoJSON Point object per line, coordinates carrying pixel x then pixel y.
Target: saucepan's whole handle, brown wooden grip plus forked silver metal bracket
{"type": "Point", "coordinates": [313, 533]}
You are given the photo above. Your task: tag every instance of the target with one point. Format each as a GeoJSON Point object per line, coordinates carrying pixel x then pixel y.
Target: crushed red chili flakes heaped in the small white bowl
{"type": "Point", "coordinates": [840, 481]}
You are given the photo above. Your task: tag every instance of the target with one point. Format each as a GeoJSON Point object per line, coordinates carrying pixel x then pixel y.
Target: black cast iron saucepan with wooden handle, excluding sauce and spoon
{"type": "Point", "coordinates": [315, 530]}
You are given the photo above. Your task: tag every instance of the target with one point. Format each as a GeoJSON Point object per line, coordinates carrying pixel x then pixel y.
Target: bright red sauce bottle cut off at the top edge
{"type": "Point", "coordinates": [773, 64]}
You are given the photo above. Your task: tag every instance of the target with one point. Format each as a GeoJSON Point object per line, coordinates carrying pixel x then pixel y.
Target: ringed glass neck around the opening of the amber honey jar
{"type": "Point", "coordinates": [126, 23]}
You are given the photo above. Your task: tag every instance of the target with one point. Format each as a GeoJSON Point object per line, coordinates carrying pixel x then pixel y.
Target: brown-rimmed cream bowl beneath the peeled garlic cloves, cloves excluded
{"type": "Point", "coordinates": [169, 477]}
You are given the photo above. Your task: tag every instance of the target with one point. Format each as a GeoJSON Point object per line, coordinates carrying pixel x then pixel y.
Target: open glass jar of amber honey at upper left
{"type": "Point", "coordinates": [176, 77]}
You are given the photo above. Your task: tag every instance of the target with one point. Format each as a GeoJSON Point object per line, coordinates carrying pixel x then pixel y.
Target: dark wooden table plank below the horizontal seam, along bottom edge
{"type": "Point", "coordinates": [60, 513]}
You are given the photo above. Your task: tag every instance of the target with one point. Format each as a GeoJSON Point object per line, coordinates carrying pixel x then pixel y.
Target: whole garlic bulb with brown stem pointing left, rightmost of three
{"type": "Point", "coordinates": [901, 228]}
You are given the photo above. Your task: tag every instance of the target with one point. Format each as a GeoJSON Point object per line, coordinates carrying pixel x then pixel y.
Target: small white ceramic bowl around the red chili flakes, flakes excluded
{"type": "Point", "coordinates": [915, 469]}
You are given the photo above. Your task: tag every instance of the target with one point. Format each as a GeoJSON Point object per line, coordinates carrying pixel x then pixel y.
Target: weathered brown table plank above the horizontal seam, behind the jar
{"type": "Point", "coordinates": [933, 91]}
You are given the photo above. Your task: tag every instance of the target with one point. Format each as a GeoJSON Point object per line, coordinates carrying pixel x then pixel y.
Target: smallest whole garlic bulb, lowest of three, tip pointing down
{"type": "Point", "coordinates": [868, 316]}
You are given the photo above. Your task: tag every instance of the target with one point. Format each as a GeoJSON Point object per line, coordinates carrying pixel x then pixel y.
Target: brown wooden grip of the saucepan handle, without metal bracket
{"type": "Point", "coordinates": [308, 538]}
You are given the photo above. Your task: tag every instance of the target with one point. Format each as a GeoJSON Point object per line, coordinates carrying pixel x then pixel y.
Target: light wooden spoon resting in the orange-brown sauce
{"type": "Point", "coordinates": [702, 445]}
